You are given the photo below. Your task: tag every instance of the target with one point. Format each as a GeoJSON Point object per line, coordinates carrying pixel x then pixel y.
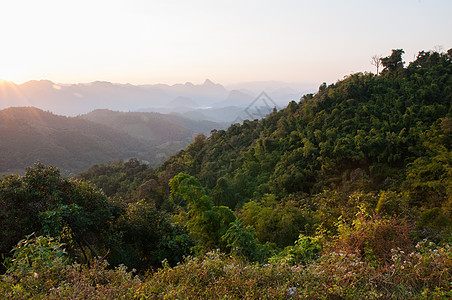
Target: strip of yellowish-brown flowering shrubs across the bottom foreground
{"type": "Point", "coordinates": [425, 272]}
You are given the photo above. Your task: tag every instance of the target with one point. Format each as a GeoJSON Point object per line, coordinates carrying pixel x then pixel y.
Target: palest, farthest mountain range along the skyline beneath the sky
{"type": "Point", "coordinates": [203, 101]}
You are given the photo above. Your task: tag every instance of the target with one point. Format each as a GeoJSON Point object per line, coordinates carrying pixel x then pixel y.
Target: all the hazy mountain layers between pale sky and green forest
{"type": "Point", "coordinates": [73, 126]}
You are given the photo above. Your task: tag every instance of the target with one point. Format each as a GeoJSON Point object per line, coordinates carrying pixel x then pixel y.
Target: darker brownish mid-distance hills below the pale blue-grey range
{"type": "Point", "coordinates": [29, 134]}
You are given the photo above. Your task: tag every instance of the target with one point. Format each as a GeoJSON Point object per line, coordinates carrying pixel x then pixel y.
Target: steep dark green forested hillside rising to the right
{"type": "Point", "coordinates": [365, 133]}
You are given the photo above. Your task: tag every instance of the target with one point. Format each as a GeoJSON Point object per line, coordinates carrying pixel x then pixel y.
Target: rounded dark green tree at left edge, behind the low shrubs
{"type": "Point", "coordinates": [42, 201]}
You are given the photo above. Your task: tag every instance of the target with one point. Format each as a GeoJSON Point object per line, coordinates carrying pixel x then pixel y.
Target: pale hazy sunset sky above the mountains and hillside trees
{"type": "Point", "coordinates": [148, 42]}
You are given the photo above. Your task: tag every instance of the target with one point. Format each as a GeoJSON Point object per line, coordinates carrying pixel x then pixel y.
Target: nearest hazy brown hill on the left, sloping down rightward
{"type": "Point", "coordinates": [29, 134]}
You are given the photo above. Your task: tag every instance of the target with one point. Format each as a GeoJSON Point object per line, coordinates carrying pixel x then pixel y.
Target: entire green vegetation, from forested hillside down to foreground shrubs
{"type": "Point", "coordinates": [346, 194]}
